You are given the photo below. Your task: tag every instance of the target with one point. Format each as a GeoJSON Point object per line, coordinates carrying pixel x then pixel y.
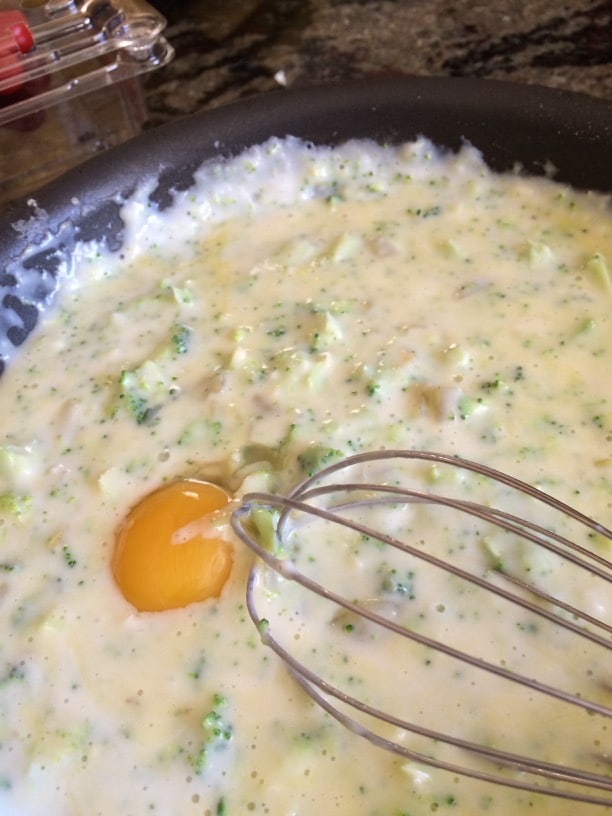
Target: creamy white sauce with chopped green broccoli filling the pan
{"type": "Point", "coordinates": [295, 305]}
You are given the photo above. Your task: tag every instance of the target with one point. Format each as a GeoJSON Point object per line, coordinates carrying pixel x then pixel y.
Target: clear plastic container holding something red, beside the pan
{"type": "Point", "coordinates": [70, 83]}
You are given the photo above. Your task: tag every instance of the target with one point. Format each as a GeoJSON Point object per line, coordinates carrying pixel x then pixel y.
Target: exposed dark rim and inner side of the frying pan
{"type": "Point", "coordinates": [539, 130]}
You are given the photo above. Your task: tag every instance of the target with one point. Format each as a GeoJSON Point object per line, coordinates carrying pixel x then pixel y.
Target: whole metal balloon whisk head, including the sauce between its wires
{"type": "Point", "coordinates": [358, 553]}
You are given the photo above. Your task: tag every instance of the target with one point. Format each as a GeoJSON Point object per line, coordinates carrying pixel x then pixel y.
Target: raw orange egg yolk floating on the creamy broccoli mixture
{"type": "Point", "coordinates": [167, 553]}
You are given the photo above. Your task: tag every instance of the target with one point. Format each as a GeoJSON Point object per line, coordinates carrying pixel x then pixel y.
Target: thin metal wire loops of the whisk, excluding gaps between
{"type": "Point", "coordinates": [560, 780]}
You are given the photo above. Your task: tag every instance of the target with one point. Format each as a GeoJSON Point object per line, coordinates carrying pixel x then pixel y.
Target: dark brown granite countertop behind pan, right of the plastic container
{"type": "Point", "coordinates": [230, 49]}
